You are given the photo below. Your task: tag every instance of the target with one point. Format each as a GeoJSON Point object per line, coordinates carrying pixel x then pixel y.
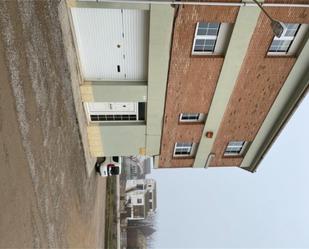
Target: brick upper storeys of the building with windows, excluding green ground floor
{"type": "Point", "coordinates": [224, 106]}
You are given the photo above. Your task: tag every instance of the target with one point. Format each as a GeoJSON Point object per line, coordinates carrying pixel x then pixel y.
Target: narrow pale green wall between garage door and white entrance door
{"type": "Point", "coordinates": [119, 91]}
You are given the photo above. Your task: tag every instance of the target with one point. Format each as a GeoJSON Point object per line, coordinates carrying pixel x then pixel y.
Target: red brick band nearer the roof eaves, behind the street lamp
{"type": "Point", "coordinates": [258, 84]}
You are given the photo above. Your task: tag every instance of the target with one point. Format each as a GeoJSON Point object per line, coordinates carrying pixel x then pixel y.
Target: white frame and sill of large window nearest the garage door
{"type": "Point", "coordinates": [221, 39]}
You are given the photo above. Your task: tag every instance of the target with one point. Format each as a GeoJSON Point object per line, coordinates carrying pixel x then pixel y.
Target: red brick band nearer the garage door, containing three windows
{"type": "Point", "coordinates": [191, 81]}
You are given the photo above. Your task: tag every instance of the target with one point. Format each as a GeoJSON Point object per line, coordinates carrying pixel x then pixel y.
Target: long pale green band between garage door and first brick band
{"type": "Point", "coordinates": [161, 25]}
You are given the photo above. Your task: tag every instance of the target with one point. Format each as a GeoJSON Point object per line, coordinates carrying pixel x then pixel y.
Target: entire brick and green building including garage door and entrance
{"type": "Point", "coordinates": [192, 84]}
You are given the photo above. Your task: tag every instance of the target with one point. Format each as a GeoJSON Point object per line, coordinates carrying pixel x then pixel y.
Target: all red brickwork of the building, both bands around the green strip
{"type": "Point", "coordinates": [192, 81]}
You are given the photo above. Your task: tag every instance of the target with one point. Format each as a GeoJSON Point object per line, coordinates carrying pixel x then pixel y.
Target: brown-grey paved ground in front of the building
{"type": "Point", "coordinates": [47, 198]}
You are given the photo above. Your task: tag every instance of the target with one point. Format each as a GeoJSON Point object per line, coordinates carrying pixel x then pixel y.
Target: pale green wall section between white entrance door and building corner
{"type": "Point", "coordinates": [123, 140]}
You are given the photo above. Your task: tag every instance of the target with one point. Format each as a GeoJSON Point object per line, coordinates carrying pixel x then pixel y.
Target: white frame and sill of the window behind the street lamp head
{"type": "Point", "coordinates": [296, 41]}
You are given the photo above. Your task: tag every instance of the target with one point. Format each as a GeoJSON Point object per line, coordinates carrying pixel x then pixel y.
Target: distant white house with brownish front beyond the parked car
{"type": "Point", "coordinates": [141, 198]}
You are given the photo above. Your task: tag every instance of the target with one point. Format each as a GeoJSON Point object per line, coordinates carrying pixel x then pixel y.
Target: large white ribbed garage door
{"type": "Point", "coordinates": [112, 43]}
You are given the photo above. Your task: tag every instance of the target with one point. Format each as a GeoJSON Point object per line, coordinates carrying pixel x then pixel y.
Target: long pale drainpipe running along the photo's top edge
{"type": "Point", "coordinates": [228, 4]}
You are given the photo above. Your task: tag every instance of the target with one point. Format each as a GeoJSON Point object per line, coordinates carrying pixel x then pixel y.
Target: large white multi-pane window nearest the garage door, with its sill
{"type": "Point", "coordinates": [211, 38]}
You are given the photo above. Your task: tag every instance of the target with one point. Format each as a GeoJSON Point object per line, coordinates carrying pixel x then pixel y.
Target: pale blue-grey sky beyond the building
{"type": "Point", "coordinates": [233, 208]}
